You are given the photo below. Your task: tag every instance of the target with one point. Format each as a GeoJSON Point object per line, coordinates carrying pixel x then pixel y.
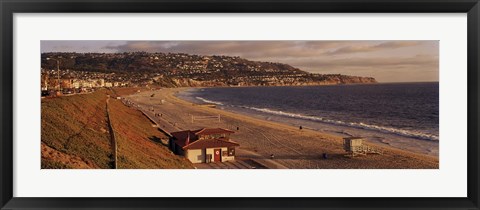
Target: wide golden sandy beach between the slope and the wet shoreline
{"type": "Point", "coordinates": [259, 139]}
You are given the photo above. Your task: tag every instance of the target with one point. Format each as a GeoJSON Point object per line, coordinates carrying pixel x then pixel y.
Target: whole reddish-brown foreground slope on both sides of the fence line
{"type": "Point", "coordinates": [75, 135]}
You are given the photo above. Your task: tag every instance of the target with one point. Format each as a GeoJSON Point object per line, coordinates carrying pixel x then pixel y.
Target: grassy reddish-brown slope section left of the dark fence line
{"type": "Point", "coordinates": [75, 127]}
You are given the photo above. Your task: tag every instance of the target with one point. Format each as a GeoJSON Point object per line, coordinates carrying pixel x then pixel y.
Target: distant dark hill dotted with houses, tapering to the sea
{"type": "Point", "coordinates": [180, 70]}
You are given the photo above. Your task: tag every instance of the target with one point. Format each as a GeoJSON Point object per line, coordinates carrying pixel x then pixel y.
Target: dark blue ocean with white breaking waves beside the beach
{"type": "Point", "coordinates": [402, 115]}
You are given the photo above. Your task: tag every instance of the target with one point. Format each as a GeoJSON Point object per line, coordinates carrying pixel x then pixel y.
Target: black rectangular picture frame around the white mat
{"type": "Point", "coordinates": [10, 7]}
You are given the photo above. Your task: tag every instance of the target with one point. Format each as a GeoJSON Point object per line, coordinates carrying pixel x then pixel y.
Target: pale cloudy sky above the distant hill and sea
{"type": "Point", "coordinates": [385, 60]}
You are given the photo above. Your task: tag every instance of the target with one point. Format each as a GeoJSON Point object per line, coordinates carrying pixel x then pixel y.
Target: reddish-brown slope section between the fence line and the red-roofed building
{"type": "Point", "coordinates": [138, 142]}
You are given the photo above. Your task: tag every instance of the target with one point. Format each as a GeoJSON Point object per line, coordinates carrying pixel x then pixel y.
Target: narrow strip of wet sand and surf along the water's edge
{"type": "Point", "coordinates": [381, 136]}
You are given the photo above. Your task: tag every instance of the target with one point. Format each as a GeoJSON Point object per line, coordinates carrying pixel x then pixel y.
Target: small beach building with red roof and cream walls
{"type": "Point", "coordinates": [204, 145]}
